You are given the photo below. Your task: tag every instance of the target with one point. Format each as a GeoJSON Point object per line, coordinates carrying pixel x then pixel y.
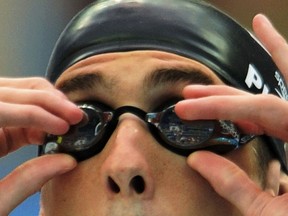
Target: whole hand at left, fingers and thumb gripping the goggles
{"type": "Point", "coordinates": [29, 108]}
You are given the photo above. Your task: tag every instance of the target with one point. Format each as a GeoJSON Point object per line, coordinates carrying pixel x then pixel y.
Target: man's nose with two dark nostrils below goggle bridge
{"type": "Point", "coordinates": [126, 171]}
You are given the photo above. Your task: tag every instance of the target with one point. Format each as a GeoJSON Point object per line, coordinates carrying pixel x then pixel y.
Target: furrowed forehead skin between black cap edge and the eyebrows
{"type": "Point", "coordinates": [136, 59]}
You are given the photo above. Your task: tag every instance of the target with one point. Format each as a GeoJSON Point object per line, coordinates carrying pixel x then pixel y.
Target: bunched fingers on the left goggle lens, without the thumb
{"type": "Point", "coordinates": [29, 107]}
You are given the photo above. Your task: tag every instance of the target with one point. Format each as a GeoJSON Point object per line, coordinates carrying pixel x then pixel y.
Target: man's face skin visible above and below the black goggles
{"type": "Point", "coordinates": [134, 174]}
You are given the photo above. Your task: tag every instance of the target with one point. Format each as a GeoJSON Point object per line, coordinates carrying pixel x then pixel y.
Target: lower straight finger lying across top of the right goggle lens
{"type": "Point", "coordinates": [257, 114]}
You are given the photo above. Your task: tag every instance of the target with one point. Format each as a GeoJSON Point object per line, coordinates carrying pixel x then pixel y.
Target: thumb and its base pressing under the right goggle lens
{"type": "Point", "coordinates": [233, 184]}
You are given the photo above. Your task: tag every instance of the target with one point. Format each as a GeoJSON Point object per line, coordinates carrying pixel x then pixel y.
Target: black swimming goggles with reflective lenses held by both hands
{"type": "Point", "coordinates": [183, 137]}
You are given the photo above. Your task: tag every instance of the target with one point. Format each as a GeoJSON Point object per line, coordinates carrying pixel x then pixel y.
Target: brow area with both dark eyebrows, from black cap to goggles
{"type": "Point", "coordinates": [138, 74]}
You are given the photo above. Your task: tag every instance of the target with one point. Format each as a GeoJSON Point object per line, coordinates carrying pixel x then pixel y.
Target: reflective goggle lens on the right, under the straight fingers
{"type": "Point", "coordinates": [194, 135]}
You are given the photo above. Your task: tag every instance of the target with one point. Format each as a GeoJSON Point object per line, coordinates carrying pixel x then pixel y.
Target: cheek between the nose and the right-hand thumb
{"type": "Point", "coordinates": [185, 191]}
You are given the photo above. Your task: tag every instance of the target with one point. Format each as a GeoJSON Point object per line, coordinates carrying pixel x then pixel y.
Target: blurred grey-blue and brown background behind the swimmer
{"type": "Point", "coordinates": [30, 28]}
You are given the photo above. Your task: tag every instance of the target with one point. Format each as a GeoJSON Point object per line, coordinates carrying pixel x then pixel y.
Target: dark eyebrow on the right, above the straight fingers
{"type": "Point", "coordinates": [174, 75]}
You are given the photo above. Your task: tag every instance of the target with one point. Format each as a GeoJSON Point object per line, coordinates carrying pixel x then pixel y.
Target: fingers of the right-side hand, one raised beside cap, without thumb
{"type": "Point", "coordinates": [241, 109]}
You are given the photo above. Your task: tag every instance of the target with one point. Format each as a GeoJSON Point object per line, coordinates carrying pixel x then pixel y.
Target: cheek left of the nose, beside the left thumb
{"type": "Point", "coordinates": [74, 193]}
